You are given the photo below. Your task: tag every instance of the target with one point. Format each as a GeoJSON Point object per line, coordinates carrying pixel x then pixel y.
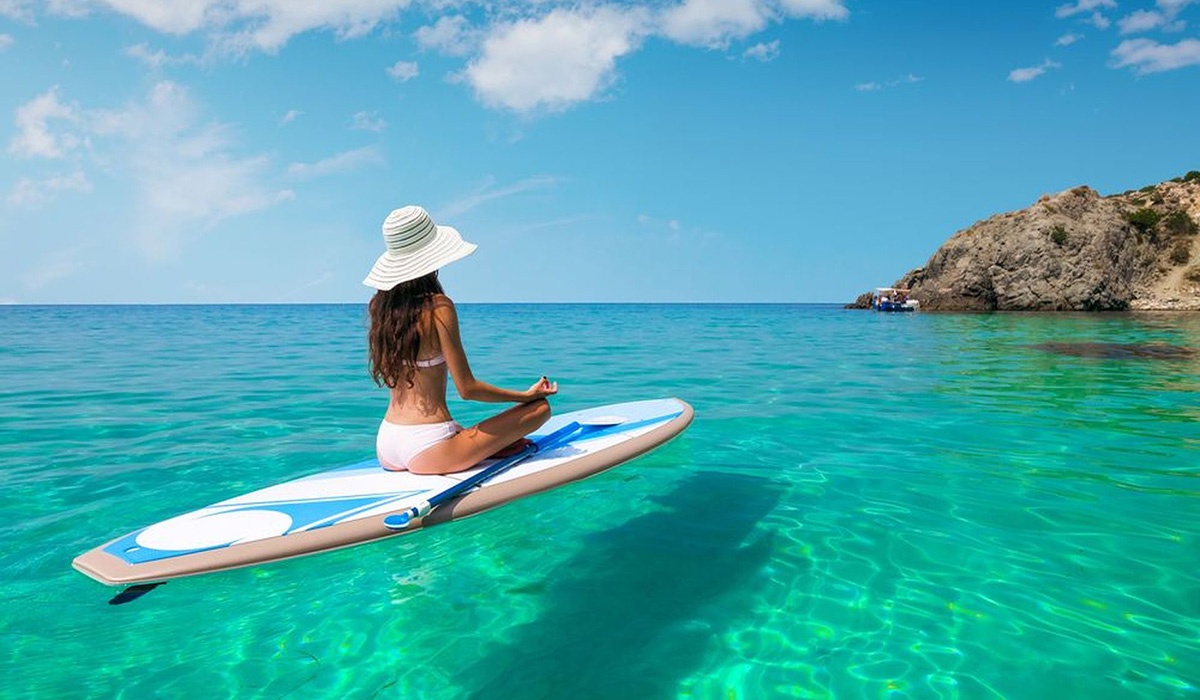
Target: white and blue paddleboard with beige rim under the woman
{"type": "Point", "coordinates": [349, 506]}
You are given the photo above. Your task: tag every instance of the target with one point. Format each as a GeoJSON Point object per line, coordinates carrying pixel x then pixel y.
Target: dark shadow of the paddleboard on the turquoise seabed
{"type": "Point", "coordinates": [626, 618]}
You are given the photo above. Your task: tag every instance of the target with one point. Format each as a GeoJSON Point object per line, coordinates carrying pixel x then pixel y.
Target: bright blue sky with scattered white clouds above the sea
{"type": "Point", "coordinates": [677, 151]}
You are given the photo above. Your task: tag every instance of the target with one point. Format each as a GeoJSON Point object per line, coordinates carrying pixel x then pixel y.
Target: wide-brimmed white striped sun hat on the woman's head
{"type": "Point", "coordinates": [416, 248]}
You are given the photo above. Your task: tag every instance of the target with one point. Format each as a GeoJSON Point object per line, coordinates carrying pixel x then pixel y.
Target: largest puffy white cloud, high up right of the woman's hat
{"type": "Point", "coordinates": [556, 62]}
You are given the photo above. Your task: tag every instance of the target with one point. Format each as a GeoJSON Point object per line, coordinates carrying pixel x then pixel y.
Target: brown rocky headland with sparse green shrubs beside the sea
{"type": "Point", "coordinates": [1073, 252]}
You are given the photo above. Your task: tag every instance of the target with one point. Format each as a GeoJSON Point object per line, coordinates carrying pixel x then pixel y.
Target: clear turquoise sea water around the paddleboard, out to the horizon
{"type": "Point", "coordinates": [867, 506]}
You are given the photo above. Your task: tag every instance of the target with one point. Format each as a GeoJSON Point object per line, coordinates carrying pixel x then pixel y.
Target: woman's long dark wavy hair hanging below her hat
{"type": "Point", "coordinates": [399, 325]}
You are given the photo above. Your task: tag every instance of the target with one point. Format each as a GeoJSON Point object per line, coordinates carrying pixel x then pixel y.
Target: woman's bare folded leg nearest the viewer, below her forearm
{"type": "Point", "coordinates": [476, 444]}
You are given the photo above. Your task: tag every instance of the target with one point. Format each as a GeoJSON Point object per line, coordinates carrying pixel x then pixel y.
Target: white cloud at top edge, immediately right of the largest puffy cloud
{"type": "Point", "coordinates": [715, 23]}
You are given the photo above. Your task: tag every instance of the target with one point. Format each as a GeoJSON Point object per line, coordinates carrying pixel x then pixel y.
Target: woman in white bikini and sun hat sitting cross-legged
{"type": "Point", "coordinates": [415, 340]}
